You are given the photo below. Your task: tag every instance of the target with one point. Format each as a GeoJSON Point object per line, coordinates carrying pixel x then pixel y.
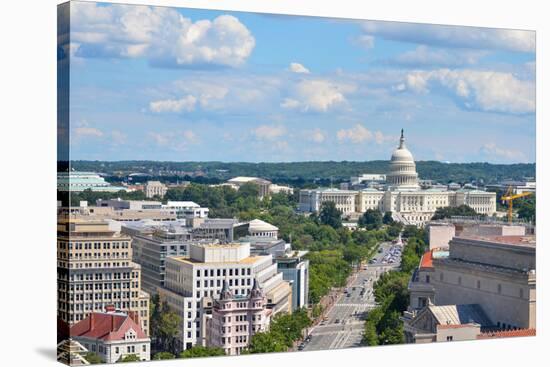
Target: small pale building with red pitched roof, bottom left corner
{"type": "Point", "coordinates": [112, 336]}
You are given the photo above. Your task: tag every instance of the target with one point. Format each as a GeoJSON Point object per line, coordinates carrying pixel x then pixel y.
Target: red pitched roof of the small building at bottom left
{"type": "Point", "coordinates": [106, 326]}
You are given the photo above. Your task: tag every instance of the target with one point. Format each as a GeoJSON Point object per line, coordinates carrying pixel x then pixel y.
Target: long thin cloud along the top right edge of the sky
{"type": "Point", "coordinates": [453, 36]}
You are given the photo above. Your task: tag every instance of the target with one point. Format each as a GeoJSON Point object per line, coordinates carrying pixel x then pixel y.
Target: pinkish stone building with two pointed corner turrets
{"type": "Point", "coordinates": [236, 318]}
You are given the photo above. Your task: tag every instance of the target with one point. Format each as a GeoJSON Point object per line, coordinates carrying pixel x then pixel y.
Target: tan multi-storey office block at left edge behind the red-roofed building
{"type": "Point", "coordinates": [95, 270]}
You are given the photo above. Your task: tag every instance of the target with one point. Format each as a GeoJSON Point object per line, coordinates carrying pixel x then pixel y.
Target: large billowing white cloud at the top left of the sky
{"type": "Point", "coordinates": [159, 34]}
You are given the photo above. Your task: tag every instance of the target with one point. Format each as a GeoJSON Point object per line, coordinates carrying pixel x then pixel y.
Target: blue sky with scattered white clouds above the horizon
{"type": "Point", "coordinates": [189, 85]}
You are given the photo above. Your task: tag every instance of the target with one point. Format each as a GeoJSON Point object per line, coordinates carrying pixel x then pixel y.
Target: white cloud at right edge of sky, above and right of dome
{"type": "Point", "coordinates": [484, 90]}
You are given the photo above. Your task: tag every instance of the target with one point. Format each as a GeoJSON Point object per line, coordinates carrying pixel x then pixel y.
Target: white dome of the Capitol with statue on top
{"type": "Point", "coordinates": [402, 168]}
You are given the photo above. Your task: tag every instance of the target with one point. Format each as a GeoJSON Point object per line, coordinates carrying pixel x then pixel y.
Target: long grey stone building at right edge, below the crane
{"type": "Point", "coordinates": [496, 272]}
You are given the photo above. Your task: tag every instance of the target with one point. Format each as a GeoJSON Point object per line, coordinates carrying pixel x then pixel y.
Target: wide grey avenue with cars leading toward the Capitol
{"type": "Point", "coordinates": [344, 321]}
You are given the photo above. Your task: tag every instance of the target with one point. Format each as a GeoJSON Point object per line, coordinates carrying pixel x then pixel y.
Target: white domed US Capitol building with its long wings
{"type": "Point", "coordinates": [402, 195]}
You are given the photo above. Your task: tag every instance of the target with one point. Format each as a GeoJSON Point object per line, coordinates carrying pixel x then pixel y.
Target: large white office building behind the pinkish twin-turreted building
{"type": "Point", "coordinates": [193, 282]}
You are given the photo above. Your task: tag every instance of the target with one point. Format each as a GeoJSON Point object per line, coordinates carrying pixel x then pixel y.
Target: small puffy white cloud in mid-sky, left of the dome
{"type": "Point", "coordinates": [317, 95]}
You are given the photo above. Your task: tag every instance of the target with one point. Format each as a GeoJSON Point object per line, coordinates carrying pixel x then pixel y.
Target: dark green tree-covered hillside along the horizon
{"type": "Point", "coordinates": [301, 173]}
